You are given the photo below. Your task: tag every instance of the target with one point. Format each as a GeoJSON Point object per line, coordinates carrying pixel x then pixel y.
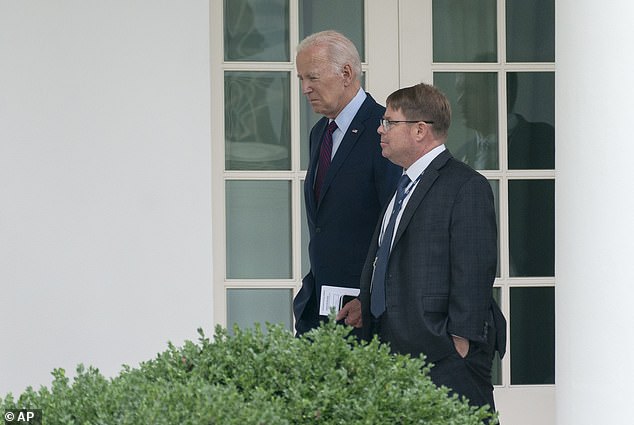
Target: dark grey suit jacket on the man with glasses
{"type": "Point", "coordinates": [441, 268]}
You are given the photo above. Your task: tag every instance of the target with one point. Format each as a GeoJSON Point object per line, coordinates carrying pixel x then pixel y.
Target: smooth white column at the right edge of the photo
{"type": "Point", "coordinates": [595, 212]}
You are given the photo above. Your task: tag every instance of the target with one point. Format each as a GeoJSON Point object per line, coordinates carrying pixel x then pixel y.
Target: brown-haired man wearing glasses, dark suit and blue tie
{"type": "Point", "coordinates": [434, 293]}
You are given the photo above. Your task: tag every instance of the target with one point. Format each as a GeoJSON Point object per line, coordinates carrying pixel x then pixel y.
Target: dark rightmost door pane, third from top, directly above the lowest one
{"type": "Point", "coordinates": [532, 227]}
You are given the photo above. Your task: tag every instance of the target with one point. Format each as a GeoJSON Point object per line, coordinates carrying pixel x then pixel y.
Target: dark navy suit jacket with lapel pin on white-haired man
{"type": "Point", "coordinates": [358, 184]}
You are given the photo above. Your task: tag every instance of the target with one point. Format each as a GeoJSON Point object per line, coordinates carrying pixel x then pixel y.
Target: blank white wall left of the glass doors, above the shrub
{"type": "Point", "coordinates": [105, 197]}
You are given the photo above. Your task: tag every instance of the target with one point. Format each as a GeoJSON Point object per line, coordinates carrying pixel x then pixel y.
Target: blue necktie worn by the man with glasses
{"type": "Point", "coordinates": [377, 297]}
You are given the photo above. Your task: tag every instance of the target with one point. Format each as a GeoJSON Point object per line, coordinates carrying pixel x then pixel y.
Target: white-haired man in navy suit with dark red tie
{"type": "Point", "coordinates": [348, 181]}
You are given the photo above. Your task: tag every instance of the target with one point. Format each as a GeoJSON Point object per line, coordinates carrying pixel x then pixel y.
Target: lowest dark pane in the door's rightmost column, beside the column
{"type": "Point", "coordinates": [532, 336]}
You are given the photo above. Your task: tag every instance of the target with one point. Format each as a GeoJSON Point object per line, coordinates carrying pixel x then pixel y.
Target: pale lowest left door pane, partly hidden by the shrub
{"type": "Point", "coordinates": [245, 307]}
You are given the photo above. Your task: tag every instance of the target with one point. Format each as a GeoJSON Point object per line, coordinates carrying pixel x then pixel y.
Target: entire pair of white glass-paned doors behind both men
{"type": "Point", "coordinates": [494, 59]}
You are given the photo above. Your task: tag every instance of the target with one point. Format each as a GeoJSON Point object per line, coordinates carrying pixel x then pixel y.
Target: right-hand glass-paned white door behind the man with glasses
{"type": "Point", "coordinates": [495, 61]}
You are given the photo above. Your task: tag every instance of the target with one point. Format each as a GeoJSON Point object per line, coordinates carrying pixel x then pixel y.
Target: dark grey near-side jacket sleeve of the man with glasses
{"type": "Point", "coordinates": [473, 250]}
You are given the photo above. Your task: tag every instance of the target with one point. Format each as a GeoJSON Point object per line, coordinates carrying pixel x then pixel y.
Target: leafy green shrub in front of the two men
{"type": "Point", "coordinates": [256, 377]}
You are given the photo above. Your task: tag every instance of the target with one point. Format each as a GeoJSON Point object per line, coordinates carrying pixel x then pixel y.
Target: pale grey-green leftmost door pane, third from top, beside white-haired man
{"type": "Point", "coordinates": [258, 229]}
